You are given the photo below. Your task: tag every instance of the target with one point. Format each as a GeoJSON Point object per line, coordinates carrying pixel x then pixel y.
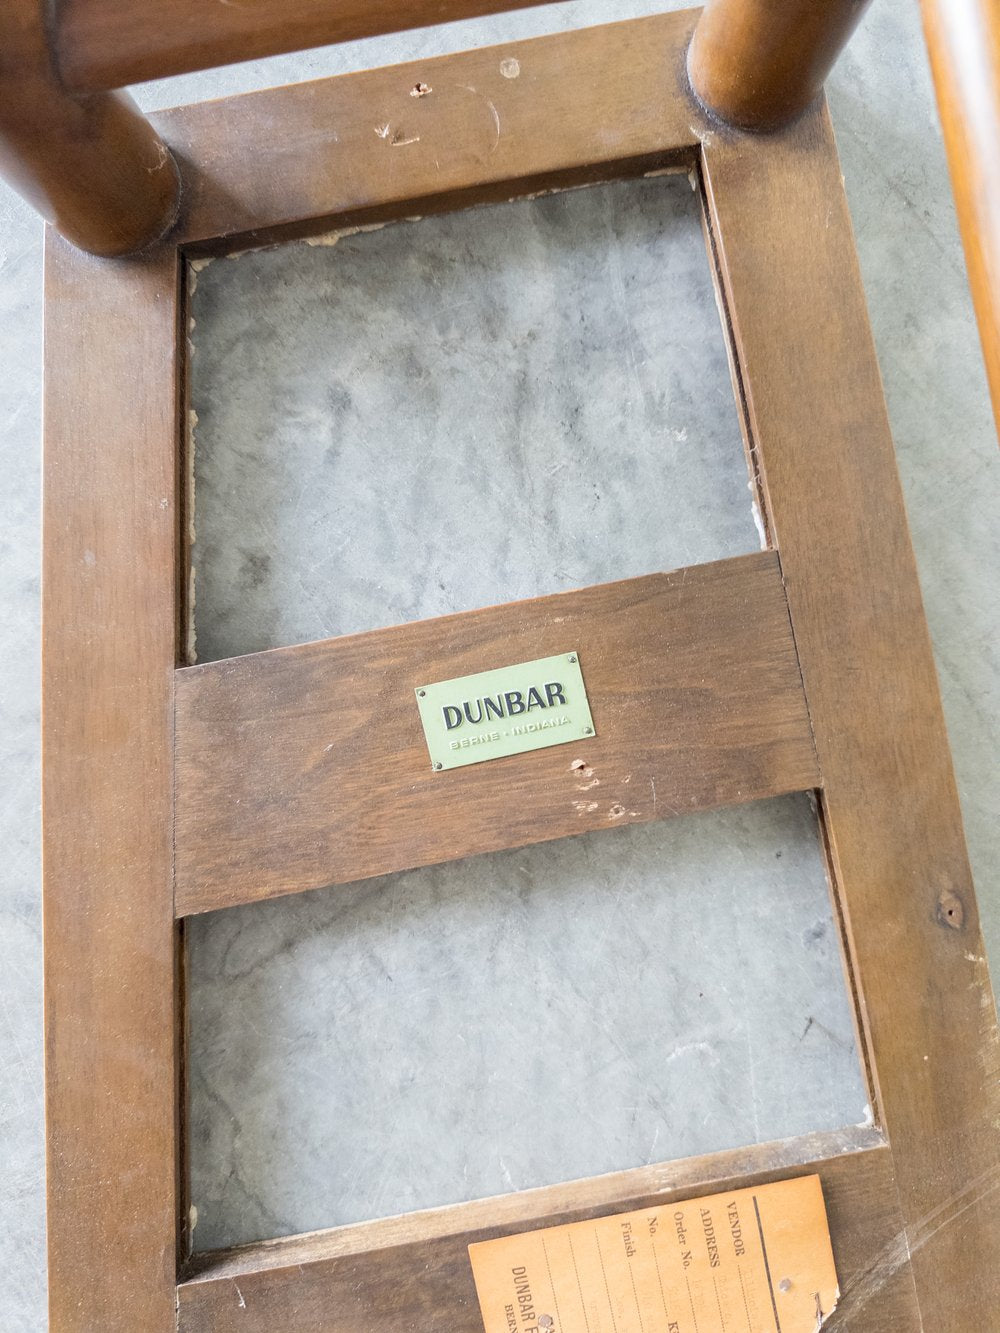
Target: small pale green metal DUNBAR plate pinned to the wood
{"type": "Point", "coordinates": [507, 711]}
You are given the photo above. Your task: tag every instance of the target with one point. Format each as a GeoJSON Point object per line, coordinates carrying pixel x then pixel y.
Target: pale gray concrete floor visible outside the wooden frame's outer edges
{"type": "Point", "coordinates": [911, 258]}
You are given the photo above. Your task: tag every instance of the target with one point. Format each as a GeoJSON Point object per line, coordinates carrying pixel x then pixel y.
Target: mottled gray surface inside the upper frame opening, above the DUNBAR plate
{"type": "Point", "coordinates": [467, 410]}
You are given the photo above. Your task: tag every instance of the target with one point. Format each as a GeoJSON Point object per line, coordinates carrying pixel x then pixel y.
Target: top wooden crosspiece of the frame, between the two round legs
{"type": "Point", "coordinates": [585, 106]}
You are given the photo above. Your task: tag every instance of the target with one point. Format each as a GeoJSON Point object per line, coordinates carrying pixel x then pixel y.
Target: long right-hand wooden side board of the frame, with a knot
{"type": "Point", "coordinates": [818, 427]}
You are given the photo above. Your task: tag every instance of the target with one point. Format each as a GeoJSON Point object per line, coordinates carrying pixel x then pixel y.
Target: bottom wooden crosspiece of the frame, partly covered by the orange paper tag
{"type": "Point", "coordinates": [414, 1272]}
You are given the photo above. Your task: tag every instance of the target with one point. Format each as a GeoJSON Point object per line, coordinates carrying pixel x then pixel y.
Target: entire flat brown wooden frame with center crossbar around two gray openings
{"type": "Point", "coordinates": [841, 696]}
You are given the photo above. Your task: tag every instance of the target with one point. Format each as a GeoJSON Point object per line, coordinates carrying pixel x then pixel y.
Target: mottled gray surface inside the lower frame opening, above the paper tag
{"type": "Point", "coordinates": [515, 1020]}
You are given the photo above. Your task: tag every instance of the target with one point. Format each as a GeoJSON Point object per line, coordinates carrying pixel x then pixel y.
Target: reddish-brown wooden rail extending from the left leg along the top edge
{"type": "Point", "coordinates": [115, 43]}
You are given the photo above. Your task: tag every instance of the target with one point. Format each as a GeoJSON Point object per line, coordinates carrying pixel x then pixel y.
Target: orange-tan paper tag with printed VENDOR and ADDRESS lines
{"type": "Point", "coordinates": [746, 1262]}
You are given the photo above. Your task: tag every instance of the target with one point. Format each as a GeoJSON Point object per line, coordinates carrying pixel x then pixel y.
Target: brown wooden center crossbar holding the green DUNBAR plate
{"type": "Point", "coordinates": [309, 766]}
